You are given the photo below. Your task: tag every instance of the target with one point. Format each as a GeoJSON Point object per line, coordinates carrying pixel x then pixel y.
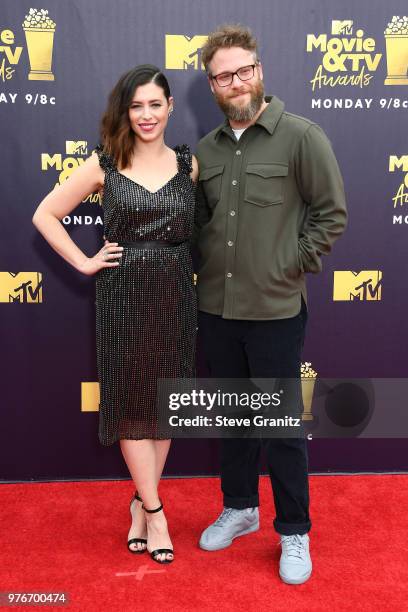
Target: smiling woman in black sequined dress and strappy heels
{"type": "Point", "coordinates": [145, 299]}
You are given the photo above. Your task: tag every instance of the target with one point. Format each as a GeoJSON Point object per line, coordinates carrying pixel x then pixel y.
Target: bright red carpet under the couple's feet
{"type": "Point", "coordinates": [72, 537]}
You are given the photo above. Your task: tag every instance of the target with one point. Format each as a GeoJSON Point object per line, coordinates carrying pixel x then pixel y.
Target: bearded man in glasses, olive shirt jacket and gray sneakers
{"type": "Point", "coordinates": [270, 203]}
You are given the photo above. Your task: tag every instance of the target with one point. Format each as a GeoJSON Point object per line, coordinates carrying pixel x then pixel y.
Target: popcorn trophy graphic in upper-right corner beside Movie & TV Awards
{"type": "Point", "coordinates": [396, 38]}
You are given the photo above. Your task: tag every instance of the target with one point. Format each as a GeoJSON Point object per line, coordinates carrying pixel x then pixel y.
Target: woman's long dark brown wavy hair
{"type": "Point", "coordinates": [116, 132]}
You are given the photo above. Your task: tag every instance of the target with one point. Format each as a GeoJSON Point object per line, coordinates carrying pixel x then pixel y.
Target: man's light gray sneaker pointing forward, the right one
{"type": "Point", "coordinates": [295, 564]}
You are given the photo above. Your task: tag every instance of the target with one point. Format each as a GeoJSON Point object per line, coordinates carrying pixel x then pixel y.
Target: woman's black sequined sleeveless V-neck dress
{"type": "Point", "coordinates": [145, 306]}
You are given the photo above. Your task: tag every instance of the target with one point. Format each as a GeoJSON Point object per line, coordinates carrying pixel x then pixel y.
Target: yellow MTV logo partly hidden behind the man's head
{"type": "Point", "coordinates": [184, 52]}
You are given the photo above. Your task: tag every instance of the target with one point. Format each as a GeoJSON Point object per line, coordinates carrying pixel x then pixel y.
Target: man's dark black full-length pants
{"type": "Point", "coordinates": [261, 349]}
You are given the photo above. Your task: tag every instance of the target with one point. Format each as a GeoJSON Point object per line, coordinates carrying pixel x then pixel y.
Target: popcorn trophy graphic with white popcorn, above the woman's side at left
{"type": "Point", "coordinates": [39, 31]}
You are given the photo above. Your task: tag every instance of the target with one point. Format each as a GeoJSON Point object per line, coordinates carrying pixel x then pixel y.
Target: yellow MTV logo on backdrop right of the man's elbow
{"type": "Point", "coordinates": [363, 286]}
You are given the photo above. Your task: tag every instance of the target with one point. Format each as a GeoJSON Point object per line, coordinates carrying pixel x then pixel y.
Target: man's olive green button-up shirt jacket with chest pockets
{"type": "Point", "coordinates": [268, 206]}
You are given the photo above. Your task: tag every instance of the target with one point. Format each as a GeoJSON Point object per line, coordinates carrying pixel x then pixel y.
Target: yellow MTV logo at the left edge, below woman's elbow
{"type": "Point", "coordinates": [22, 287]}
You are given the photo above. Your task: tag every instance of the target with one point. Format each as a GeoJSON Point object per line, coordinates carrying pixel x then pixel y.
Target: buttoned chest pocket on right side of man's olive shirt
{"type": "Point", "coordinates": [265, 183]}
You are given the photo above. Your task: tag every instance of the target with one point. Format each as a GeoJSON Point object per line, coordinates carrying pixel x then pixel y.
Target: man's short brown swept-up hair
{"type": "Point", "coordinates": [226, 36]}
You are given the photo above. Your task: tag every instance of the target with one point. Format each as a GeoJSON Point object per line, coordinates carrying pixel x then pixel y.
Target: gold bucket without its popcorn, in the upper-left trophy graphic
{"type": "Point", "coordinates": [40, 45]}
